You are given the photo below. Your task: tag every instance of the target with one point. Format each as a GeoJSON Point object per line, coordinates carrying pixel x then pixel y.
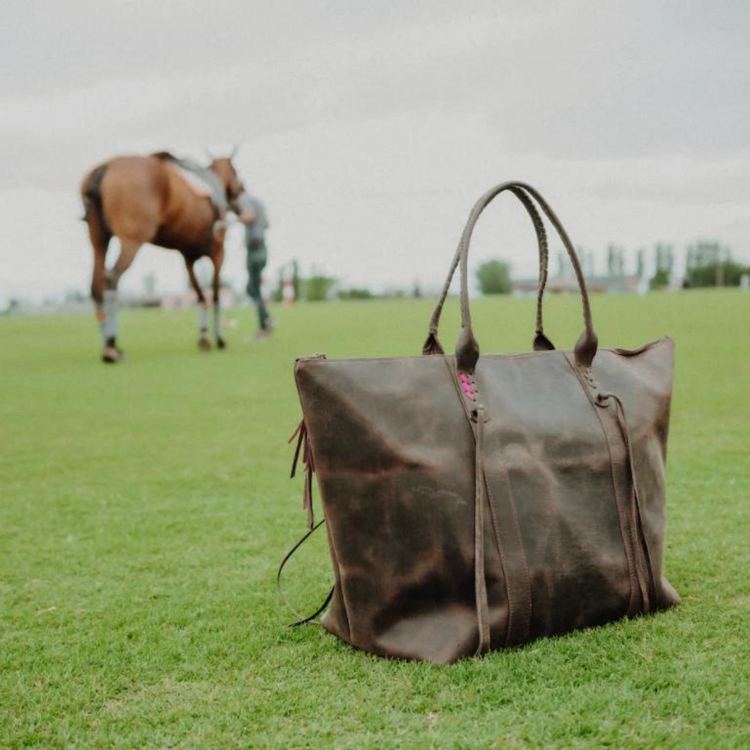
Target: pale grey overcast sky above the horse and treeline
{"type": "Point", "coordinates": [370, 128]}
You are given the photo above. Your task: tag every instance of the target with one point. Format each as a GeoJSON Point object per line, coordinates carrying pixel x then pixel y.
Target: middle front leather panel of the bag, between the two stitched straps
{"type": "Point", "coordinates": [546, 433]}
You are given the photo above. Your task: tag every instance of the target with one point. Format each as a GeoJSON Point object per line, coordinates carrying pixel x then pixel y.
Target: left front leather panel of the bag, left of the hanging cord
{"type": "Point", "coordinates": [394, 455]}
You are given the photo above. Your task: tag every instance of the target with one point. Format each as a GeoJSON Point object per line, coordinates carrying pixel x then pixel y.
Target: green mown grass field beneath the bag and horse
{"type": "Point", "coordinates": [146, 506]}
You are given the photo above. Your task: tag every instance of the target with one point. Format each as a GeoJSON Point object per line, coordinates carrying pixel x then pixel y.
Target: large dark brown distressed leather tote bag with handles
{"type": "Point", "coordinates": [477, 502]}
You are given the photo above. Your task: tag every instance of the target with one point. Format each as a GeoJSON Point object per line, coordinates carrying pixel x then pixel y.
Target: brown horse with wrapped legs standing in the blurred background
{"type": "Point", "coordinates": [141, 199]}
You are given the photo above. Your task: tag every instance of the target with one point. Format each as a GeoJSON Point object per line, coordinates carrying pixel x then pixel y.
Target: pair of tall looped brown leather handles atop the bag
{"type": "Point", "coordinates": [467, 348]}
